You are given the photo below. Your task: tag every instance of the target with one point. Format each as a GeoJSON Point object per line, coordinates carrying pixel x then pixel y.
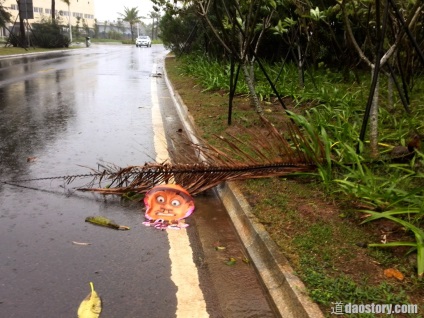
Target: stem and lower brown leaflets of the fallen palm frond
{"type": "Point", "coordinates": [194, 178]}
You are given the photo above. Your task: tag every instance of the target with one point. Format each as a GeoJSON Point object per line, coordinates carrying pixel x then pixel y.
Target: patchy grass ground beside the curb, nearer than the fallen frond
{"type": "Point", "coordinates": [323, 252]}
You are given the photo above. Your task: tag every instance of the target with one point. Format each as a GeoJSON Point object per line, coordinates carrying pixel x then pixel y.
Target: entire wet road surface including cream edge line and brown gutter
{"type": "Point", "coordinates": [61, 113]}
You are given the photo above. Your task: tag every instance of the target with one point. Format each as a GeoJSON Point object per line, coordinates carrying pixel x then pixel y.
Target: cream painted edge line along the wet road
{"type": "Point", "coordinates": [191, 302]}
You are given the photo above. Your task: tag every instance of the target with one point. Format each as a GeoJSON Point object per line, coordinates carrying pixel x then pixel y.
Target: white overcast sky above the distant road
{"type": "Point", "coordinates": [109, 10]}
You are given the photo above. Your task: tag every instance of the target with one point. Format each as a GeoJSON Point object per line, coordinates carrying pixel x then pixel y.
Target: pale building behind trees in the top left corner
{"type": "Point", "coordinates": [84, 9]}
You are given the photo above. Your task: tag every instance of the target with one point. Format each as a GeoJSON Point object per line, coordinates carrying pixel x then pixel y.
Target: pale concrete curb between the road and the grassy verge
{"type": "Point", "coordinates": [286, 290]}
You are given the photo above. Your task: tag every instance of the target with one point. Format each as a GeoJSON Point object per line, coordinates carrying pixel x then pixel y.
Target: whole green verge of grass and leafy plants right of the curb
{"type": "Point", "coordinates": [314, 218]}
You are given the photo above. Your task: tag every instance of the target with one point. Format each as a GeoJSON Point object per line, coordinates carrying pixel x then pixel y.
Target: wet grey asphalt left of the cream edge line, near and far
{"type": "Point", "coordinates": [69, 110]}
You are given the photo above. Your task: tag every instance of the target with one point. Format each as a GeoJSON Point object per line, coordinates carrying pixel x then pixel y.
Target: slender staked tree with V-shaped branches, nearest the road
{"type": "Point", "coordinates": [239, 28]}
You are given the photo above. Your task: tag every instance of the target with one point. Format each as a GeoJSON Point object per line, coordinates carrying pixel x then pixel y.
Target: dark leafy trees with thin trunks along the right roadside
{"type": "Point", "coordinates": [346, 36]}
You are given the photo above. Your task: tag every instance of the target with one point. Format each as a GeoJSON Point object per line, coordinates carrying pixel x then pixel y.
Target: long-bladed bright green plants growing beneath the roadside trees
{"type": "Point", "coordinates": [329, 111]}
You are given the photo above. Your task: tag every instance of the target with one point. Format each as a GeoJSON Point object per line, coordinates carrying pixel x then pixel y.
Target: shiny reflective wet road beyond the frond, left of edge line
{"type": "Point", "coordinates": [87, 100]}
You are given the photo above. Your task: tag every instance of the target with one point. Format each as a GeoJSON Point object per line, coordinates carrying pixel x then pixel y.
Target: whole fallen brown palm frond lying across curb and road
{"type": "Point", "coordinates": [267, 154]}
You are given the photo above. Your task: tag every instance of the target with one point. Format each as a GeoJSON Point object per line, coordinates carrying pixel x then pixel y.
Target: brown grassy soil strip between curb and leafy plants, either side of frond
{"type": "Point", "coordinates": [319, 233]}
